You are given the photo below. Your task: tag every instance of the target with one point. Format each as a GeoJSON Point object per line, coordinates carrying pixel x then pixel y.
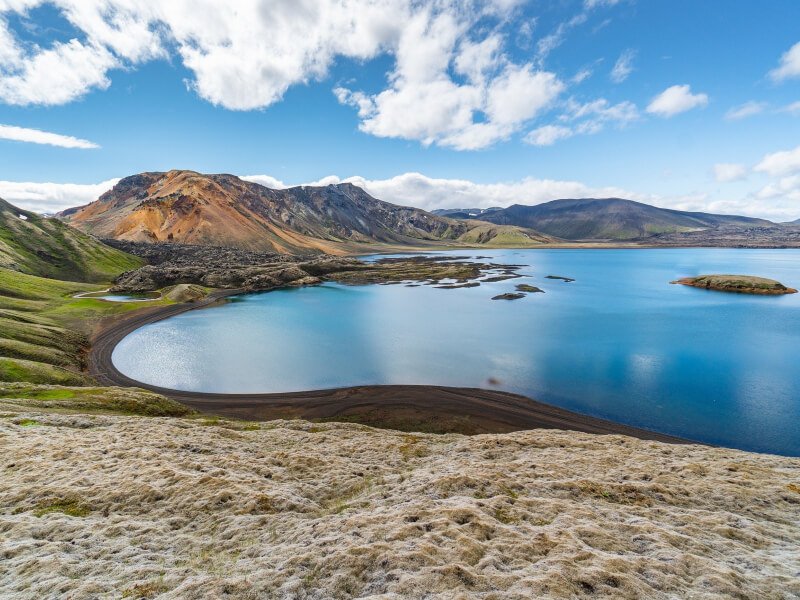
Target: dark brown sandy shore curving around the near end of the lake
{"type": "Point", "coordinates": [434, 409]}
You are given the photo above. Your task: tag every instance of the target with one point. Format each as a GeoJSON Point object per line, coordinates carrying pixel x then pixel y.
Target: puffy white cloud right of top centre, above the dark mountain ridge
{"type": "Point", "coordinates": [493, 97]}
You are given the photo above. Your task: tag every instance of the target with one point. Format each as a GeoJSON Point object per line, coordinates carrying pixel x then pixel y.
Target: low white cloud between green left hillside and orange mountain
{"type": "Point", "coordinates": [52, 197]}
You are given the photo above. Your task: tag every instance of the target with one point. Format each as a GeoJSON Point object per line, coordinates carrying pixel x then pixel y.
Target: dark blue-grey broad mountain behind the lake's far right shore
{"type": "Point", "coordinates": [609, 219]}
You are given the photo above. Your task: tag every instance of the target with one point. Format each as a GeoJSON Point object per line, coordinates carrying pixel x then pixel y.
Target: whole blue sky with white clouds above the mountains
{"type": "Point", "coordinates": [685, 104]}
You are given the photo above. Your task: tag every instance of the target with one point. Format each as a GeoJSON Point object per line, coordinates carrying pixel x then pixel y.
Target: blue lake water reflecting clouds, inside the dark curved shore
{"type": "Point", "coordinates": [619, 342]}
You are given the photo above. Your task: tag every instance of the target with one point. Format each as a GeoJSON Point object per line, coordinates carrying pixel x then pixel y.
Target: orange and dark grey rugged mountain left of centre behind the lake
{"type": "Point", "coordinates": [193, 208]}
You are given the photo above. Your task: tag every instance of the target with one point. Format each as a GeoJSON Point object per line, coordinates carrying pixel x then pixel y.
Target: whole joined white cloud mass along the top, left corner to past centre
{"type": "Point", "coordinates": [452, 82]}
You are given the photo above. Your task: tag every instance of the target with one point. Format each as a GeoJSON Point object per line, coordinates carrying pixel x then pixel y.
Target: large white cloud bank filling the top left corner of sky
{"type": "Point", "coordinates": [243, 55]}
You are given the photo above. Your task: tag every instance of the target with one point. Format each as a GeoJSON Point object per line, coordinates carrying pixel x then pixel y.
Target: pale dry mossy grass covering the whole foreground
{"type": "Point", "coordinates": [114, 506]}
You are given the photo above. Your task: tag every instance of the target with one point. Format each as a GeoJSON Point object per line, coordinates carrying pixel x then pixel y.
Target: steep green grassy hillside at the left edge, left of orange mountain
{"type": "Point", "coordinates": [47, 247]}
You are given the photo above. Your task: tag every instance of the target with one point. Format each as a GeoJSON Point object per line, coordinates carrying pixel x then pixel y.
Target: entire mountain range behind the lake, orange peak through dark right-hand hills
{"type": "Point", "coordinates": [223, 210]}
